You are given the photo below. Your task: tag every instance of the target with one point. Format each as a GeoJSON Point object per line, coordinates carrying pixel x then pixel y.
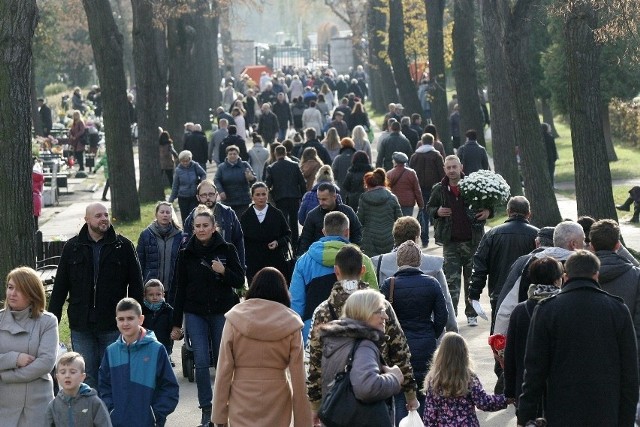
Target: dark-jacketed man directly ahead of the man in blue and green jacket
{"type": "Point", "coordinates": [312, 229]}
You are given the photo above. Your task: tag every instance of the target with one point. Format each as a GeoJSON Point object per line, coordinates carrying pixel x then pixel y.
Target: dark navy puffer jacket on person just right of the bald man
{"type": "Point", "coordinates": [158, 254]}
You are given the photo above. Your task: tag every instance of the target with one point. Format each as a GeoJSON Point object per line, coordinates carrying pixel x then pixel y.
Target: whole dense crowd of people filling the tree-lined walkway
{"type": "Point", "coordinates": [330, 243]}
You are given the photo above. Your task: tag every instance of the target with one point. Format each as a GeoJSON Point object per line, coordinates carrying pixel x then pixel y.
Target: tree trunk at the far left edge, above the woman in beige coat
{"type": "Point", "coordinates": [18, 20]}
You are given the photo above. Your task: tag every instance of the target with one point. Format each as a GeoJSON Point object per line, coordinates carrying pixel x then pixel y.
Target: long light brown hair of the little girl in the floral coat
{"type": "Point", "coordinates": [451, 368]}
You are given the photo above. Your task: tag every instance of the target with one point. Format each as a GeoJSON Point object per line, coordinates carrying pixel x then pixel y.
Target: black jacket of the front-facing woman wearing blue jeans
{"type": "Point", "coordinates": [200, 290]}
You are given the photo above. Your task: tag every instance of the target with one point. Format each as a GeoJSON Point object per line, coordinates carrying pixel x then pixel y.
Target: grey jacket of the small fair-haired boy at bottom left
{"type": "Point", "coordinates": [84, 409]}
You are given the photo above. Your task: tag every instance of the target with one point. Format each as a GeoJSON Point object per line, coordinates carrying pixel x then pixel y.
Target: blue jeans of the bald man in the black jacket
{"type": "Point", "coordinates": [91, 345]}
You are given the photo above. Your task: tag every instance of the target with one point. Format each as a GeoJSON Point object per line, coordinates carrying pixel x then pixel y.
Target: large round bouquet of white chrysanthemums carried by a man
{"type": "Point", "coordinates": [484, 189]}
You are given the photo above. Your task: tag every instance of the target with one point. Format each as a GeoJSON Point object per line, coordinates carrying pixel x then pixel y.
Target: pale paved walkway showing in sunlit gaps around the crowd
{"type": "Point", "coordinates": [66, 219]}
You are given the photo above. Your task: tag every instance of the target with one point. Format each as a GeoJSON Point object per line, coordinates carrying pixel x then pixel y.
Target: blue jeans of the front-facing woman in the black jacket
{"type": "Point", "coordinates": [203, 330]}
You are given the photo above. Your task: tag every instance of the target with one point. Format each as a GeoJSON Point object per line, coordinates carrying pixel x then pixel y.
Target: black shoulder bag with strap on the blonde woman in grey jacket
{"type": "Point", "coordinates": [341, 408]}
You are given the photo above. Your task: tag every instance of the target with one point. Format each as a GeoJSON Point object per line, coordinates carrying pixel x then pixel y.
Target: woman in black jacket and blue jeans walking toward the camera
{"type": "Point", "coordinates": [208, 270]}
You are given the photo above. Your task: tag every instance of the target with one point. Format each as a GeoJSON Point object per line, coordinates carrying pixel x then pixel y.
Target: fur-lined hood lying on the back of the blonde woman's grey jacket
{"type": "Point", "coordinates": [337, 334]}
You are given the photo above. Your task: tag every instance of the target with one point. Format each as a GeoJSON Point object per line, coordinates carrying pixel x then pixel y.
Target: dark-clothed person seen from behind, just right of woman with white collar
{"type": "Point", "coordinates": [287, 186]}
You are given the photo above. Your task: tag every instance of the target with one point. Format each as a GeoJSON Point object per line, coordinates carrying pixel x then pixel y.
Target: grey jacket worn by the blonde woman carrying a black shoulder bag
{"type": "Point", "coordinates": [368, 382]}
